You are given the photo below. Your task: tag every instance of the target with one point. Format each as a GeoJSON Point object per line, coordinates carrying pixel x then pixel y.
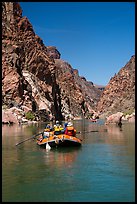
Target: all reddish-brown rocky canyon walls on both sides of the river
{"type": "Point", "coordinates": [35, 79]}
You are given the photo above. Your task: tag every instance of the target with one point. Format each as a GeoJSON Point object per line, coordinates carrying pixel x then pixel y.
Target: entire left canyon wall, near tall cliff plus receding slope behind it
{"type": "Point", "coordinates": [34, 76]}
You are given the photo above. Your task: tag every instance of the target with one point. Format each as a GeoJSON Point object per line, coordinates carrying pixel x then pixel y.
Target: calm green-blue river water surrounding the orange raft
{"type": "Point", "coordinates": [102, 169]}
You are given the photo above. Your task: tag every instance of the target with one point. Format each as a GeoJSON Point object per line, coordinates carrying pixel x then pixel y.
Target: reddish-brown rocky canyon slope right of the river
{"type": "Point", "coordinates": [119, 94]}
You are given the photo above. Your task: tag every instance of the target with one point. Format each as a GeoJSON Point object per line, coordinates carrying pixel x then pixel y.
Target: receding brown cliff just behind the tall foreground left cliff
{"type": "Point", "coordinates": [78, 96]}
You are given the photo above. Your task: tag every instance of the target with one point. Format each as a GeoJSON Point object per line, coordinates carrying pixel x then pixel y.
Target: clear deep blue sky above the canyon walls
{"type": "Point", "coordinates": [97, 38]}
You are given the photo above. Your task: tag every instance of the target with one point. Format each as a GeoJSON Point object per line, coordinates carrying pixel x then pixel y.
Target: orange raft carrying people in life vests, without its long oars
{"type": "Point", "coordinates": [59, 136]}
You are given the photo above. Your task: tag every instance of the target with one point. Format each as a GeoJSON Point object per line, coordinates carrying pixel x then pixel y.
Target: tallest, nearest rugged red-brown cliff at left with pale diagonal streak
{"type": "Point", "coordinates": [27, 69]}
